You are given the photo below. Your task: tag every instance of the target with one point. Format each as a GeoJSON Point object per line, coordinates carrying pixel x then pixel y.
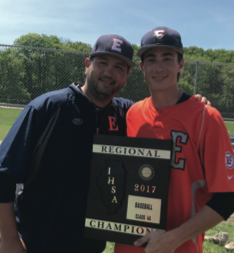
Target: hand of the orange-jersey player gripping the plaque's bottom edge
{"type": "Point", "coordinates": [158, 242]}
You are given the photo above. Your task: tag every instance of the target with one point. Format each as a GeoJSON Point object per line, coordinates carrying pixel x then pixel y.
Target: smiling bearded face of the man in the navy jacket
{"type": "Point", "coordinates": [105, 76]}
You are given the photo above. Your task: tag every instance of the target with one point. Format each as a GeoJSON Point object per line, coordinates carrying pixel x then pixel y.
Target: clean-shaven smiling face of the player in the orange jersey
{"type": "Point", "coordinates": [160, 68]}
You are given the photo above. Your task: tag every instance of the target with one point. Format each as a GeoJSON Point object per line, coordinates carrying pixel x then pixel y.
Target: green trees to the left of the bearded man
{"type": "Point", "coordinates": [26, 73]}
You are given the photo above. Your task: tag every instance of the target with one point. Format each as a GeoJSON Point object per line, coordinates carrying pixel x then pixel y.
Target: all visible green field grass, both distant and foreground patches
{"type": "Point", "coordinates": [9, 115]}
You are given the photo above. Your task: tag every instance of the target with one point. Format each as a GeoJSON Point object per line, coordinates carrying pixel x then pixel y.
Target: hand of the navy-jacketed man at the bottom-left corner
{"type": "Point", "coordinates": [17, 246]}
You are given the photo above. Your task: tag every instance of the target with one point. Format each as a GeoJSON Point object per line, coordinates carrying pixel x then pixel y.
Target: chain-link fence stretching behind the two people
{"type": "Point", "coordinates": [27, 72]}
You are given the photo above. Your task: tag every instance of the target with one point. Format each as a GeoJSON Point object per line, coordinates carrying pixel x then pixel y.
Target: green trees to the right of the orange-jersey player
{"type": "Point", "coordinates": [215, 81]}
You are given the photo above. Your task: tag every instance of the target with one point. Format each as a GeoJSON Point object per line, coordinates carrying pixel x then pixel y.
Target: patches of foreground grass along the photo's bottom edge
{"type": "Point", "coordinates": [208, 247]}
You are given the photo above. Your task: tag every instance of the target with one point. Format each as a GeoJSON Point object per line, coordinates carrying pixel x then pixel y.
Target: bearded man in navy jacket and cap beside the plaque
{"type": "Point", "coordinates": [48, 150]}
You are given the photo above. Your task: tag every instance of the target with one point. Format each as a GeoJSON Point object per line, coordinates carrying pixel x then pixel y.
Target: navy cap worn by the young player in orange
{"type": "Point", "coordinates": [161, 37]}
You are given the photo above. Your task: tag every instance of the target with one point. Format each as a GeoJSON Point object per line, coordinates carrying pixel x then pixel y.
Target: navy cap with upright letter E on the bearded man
{"type": "Point", "coordinates": [115, 45]}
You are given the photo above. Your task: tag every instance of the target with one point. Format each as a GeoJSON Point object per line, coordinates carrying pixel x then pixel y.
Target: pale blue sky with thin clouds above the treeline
{"type": "Point", "coordinates": [202, 23]}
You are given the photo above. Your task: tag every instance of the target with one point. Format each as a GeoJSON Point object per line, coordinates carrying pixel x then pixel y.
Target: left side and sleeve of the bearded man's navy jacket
{"type": "Point", "coordinates": [48, 149]}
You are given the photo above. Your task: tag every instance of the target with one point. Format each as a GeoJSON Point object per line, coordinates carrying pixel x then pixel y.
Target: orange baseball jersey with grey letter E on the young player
{"type": "Point", "coordinates": [201, 160]}
